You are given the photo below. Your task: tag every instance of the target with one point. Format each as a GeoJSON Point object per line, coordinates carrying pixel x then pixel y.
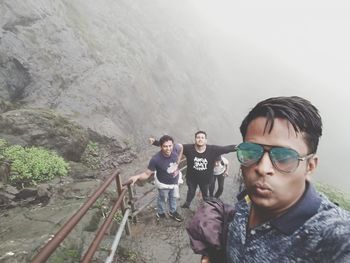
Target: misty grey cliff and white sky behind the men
{"type": "Point", "coordinates": [134, 69]}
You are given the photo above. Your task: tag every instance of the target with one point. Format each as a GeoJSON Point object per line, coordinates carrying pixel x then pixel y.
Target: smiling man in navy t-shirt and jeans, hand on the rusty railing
{"type": "Point", "coordinates": [165, 164]}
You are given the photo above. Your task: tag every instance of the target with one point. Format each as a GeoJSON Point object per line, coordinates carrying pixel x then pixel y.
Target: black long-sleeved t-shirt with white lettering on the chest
{"type": "Point", "coordinates": [200, 165]}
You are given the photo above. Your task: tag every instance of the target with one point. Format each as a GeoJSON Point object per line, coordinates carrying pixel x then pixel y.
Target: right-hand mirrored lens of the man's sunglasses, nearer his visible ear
{"type": "Point", "coordinates": [284, 159]}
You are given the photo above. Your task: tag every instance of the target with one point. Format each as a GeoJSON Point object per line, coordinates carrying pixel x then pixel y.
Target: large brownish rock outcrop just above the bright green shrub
{"type": "Point", "coordinates": [42, 127]}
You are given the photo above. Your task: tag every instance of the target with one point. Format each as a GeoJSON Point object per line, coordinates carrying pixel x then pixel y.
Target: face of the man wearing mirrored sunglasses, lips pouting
{"type": "Point", "coordinates": [267, 187]}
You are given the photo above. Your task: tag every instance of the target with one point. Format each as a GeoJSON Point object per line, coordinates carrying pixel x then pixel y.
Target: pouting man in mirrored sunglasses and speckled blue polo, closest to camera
{"type": "Point", "coordinates": [284, 219]}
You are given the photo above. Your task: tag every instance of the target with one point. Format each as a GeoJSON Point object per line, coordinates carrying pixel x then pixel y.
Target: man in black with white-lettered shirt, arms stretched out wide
{"type": "Point", "coordinates": [200, 164]}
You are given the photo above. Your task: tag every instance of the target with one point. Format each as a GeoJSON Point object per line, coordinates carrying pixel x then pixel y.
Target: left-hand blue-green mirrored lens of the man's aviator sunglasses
{"type": "Point", "coordinates": [249, 153]}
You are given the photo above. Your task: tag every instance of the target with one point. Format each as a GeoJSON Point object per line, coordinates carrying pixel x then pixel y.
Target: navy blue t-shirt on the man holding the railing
{"type": "Point", "coordinates": [166, 167]}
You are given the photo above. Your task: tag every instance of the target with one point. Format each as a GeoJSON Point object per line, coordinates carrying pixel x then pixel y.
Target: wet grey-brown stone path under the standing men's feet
{"type": "Point", "coordinates": [167, 240]}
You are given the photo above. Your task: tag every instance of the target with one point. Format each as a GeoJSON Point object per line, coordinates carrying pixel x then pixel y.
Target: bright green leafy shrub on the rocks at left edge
{"type": "Point", "coordinates": [32, 164]}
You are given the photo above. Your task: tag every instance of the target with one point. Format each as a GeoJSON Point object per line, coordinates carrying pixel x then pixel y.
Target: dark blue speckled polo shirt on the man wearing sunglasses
{"type": "Point", "coordinates": [313, 230]}
